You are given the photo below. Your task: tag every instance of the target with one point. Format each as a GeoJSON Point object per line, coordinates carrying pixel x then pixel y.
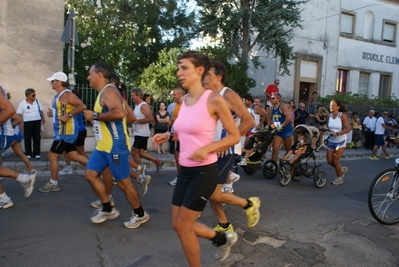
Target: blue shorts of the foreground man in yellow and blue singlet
{"type": "Point", "coordinates": [118, 163]}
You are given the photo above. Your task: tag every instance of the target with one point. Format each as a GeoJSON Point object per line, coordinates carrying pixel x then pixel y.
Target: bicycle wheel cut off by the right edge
{"type": "Point", "coordinates": [383, 196]}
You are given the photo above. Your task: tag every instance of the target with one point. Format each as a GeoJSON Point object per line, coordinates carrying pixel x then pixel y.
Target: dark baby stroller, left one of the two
{"type": "Point", "coordinates": [255, 159]}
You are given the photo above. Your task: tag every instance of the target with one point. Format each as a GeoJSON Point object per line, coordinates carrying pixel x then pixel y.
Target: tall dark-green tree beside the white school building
{"type": "Point", "coordinates": [244, 25]}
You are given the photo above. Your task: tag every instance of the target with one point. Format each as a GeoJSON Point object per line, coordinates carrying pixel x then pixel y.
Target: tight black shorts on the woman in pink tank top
{"type": "Point", "coordinates": [194, 186]}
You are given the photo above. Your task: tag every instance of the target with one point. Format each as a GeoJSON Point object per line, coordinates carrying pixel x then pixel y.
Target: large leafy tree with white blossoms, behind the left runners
{"type": "Point", "coordinates": [128, 34]}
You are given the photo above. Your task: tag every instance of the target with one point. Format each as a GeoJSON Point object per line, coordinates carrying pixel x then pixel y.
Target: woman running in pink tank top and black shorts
{"type": "Point", "coordinates": [195, 127]}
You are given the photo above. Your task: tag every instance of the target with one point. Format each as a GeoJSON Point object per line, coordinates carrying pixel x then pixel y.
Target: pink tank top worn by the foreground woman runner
{"type": "Point", "coordinates": [195, 129]}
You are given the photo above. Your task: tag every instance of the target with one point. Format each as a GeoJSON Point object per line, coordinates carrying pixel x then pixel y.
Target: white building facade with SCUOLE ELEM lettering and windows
{"type": "Point", "coordinates": [344, 46]}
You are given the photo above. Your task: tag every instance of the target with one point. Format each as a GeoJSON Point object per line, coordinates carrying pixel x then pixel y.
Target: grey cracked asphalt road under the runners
{"type": "Point", "coordinates": [300, 225]}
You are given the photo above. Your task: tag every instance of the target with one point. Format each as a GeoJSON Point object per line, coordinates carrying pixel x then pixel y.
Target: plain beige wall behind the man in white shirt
{"type": "Point", "coordinates": [30, 49]}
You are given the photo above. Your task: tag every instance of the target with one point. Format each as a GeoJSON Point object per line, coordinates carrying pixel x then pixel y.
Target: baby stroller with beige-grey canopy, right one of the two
{"type": "Point", "coordinates": [306, 165]}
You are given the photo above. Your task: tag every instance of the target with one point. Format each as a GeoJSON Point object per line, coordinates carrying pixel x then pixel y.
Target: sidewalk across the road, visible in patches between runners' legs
{"type": "Point", "coordinates": [13, 162]}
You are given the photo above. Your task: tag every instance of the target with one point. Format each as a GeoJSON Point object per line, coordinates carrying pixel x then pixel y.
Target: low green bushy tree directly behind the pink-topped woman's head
{"type": "Point", "coordinates": [160, 78]}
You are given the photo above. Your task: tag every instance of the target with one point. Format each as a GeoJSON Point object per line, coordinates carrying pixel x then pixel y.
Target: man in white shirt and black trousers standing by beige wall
{"type": "Point", "coordinates": [32, 114]}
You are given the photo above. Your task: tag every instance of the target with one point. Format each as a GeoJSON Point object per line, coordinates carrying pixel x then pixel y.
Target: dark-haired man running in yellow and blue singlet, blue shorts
{"type": "Point", "coordinates": [112, 149]}
